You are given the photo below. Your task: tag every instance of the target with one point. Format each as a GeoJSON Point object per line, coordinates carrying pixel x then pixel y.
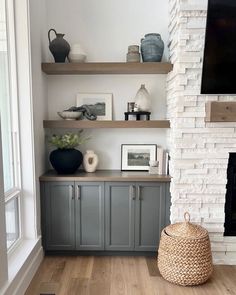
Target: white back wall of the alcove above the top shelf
{"type": "Point", "coordinates": [106, 27]}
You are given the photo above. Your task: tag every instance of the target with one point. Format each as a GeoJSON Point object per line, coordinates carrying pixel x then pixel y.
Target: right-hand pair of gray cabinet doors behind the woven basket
{"type": "Point", "coordinates": [135, 215]}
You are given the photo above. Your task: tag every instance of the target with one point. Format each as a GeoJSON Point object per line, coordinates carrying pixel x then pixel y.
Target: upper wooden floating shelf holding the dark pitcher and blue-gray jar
{"type": "Point", "coordinates": [94, 68]}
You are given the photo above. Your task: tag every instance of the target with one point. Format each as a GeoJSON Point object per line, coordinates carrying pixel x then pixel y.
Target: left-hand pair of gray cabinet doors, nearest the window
{"type": "Point", "coordinates": [72, 215]}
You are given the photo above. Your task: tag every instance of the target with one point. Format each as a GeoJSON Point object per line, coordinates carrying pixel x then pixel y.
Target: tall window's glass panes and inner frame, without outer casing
{"type": "Point", "coordinates": [9, 130]}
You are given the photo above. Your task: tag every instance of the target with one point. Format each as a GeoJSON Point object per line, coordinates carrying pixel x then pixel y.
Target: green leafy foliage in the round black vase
{"type": "Point", "coordinates": [67, 140]}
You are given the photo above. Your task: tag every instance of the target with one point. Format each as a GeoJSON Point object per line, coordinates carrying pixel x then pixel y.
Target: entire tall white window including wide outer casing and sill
{"type": "Point", "coordinates": [19, 238]}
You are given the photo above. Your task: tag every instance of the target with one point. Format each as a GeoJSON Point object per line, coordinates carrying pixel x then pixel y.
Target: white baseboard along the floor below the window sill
{"type": "Point", "coordinates": [21, 281]}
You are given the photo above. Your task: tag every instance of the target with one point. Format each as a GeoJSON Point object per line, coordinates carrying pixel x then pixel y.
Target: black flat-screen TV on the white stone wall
{"type": "Point", "coordinates": [219, 63]}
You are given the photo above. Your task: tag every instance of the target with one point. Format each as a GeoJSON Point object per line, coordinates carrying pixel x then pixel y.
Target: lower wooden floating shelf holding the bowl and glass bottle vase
{"type": "Point", "coordinates": [105, 124]}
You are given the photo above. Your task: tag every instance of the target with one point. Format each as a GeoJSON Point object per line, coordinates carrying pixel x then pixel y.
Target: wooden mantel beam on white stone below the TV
{"type": "Point", "coordinates": [217, 111]}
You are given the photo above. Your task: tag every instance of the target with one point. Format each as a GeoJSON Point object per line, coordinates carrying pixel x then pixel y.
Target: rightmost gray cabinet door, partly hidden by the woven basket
{"type": "Point", "coordinates": [149, 215]}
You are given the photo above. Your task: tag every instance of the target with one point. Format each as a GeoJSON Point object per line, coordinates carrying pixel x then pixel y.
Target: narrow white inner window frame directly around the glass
{"type": "Point", "coordinates": [15, 192]}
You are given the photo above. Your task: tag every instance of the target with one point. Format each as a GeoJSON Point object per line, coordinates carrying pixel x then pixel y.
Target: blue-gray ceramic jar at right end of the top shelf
{"type": "Point", "coordinates": [152, 48]}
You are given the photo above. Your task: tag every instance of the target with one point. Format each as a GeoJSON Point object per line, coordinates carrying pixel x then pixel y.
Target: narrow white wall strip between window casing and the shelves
{"type": "Point", "coordinates": [39, 88]}
